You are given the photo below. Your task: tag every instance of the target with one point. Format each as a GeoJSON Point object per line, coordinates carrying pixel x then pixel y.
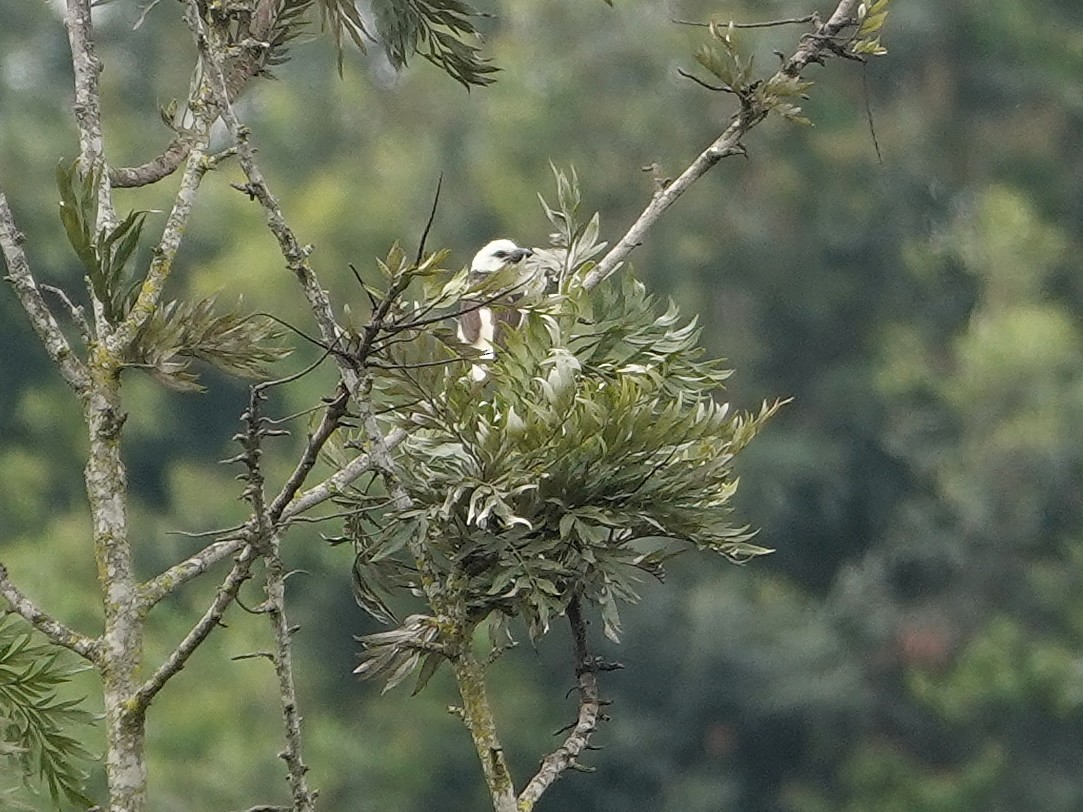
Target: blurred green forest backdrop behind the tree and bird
{"type": "Point", "coordinates": [914, 645]}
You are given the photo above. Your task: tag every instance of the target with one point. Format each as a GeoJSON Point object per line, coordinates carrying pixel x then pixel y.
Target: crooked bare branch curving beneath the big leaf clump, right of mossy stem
{"type": "Point", "coordinates": [566, 756]}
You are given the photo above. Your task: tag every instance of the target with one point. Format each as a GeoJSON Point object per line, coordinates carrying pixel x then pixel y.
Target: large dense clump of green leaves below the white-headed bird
{"type": "Point", "coordinates": [594, 451]}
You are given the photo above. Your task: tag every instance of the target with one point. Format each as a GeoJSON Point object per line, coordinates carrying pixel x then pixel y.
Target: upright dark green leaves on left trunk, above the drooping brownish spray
{"type": "Point", "coordinates": [105, 254]}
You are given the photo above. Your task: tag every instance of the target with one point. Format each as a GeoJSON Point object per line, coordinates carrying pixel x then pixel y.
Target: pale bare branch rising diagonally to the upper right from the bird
{"type": "Point", "coordinates": [814, 48]}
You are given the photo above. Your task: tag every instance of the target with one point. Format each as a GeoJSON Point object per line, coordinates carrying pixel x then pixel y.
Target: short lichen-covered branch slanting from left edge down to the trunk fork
{"type": "Point", "coordinates": [42, 319]}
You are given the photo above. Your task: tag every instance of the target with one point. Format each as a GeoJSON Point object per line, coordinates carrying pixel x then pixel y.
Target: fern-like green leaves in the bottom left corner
{"type": "Point", "coordinates": [34, 721]}
